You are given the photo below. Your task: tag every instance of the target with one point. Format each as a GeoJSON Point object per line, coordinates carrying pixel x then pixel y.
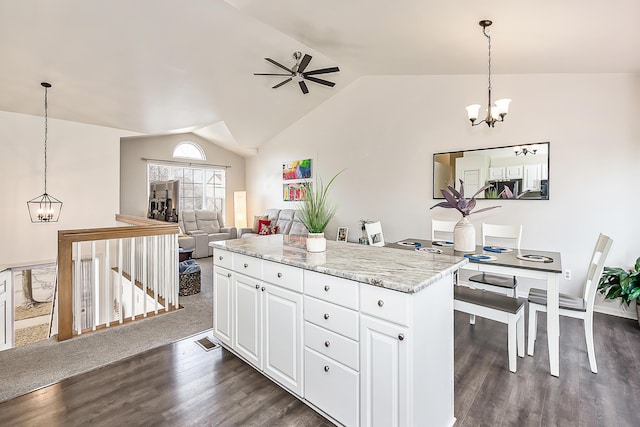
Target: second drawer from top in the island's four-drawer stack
{"type": "Point", "coordinates": [333, 317]}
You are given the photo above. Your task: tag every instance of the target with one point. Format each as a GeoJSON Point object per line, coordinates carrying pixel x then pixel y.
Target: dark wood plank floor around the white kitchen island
{"type": "Point", "coordinates": [182, 385]}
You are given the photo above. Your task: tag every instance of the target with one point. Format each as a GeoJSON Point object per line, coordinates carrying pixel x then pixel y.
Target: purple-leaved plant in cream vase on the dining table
{"type": "Point", "coordinates": [464, 233]}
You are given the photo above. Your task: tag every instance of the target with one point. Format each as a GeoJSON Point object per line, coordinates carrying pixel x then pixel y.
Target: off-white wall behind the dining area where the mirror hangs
{"type": "Point", "coordinates": [384, 130]}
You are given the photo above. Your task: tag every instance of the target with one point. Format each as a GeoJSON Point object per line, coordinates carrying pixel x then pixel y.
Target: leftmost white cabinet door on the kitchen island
{"type": "Point", "coordinates": [222, 305]}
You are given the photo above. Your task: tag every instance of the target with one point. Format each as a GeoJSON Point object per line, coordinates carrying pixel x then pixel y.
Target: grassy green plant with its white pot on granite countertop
{"type": "Point", "coordinates": [315, 212]}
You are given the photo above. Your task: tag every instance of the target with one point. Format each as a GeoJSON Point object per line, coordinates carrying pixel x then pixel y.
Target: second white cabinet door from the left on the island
{"type": "Point", "coordinates": [247, 335]}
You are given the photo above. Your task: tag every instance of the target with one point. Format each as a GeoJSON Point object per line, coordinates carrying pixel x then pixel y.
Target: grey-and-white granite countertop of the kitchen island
{"type": "Point", "coordinates": [390, 268]}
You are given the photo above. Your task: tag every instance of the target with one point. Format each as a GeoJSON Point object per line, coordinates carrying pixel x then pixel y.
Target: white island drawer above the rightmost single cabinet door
{"type": "Point", "coordinates": [385, 304]}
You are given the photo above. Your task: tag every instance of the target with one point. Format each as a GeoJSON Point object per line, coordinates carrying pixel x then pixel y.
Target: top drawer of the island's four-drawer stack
{"type": "Point", "coordinates": [332, 289]}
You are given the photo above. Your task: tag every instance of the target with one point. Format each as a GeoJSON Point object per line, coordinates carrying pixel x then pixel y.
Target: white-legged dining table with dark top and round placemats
{"type": "Point", "coordinates": [529, 263]}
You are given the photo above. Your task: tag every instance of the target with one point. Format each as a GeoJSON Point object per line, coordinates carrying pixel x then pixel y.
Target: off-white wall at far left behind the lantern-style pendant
{"type": "Point", "coordinates": [82, 172]}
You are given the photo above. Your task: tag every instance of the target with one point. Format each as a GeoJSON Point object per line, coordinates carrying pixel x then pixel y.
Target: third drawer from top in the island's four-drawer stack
{"type": "Point", "coordinates": [330, 344]}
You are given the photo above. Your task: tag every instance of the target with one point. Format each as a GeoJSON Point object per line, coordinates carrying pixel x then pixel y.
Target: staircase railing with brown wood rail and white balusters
{"type": "Point", "coordinates": [109, 276]}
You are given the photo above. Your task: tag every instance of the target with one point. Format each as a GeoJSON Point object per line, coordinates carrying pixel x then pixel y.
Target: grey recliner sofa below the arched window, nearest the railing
{"type": "Point", "coordinates": [199, 227]}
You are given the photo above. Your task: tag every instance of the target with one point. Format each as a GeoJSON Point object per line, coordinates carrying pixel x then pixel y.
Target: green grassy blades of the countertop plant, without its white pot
{"type": "Point", "coordinates": [316, 210]}
